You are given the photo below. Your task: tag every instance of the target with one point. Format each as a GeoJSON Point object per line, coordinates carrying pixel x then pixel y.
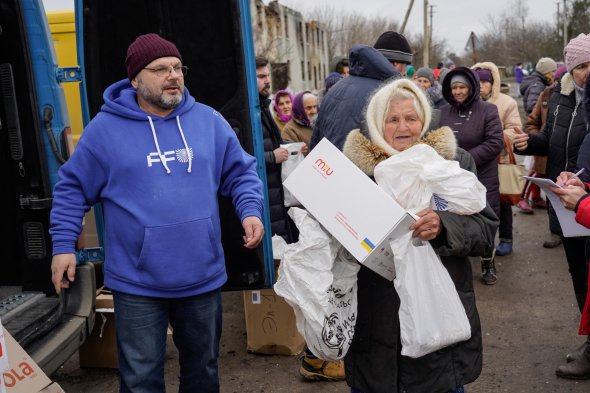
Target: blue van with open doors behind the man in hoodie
{"type": "Point", "coordinates": [214, 37]}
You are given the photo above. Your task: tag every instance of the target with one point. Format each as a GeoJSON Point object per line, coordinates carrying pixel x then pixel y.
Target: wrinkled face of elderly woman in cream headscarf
{"type": "Point", "coordinates": [402, 125]}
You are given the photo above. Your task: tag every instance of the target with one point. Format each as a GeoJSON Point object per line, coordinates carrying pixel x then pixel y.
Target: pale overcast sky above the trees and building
{"type": "Point", "coordinates": [453, 19]}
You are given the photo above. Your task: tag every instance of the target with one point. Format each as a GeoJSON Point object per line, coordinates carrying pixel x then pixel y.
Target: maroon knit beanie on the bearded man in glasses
{"type": "Point", "coordinates": [145, 49]}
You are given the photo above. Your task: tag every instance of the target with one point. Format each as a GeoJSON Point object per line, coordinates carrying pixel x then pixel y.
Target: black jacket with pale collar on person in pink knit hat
{"type": "Point", "coordinates": [561, 138]}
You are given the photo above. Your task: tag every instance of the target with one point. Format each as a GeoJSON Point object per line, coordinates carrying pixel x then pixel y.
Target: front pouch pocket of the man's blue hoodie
{"type": "Point", "coordinates": [179, 255]}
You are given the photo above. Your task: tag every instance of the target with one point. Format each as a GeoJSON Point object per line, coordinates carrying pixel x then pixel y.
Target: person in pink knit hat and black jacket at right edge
{"type": "Point", "coordinates": [561, 140]}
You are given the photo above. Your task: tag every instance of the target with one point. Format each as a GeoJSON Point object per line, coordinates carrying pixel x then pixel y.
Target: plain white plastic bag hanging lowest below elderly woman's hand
{"type": "Point", "coordinates": [431, 314]}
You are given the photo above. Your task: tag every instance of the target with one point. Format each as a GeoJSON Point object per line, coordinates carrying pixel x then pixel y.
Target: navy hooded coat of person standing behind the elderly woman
{"type": "Point", "coordinates": [343, 106]}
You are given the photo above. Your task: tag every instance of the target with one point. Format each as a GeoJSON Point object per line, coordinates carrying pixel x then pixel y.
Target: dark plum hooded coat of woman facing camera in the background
{"type": "Point", "coordinates": [478, 130]}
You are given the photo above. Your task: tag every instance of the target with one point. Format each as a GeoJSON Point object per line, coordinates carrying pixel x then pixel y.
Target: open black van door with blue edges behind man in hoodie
{"type": "Point", "coordinates": [215, 40]}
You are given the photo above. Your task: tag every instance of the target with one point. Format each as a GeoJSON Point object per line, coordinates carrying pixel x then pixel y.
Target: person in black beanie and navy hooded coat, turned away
{"type": "Point", "coordinates": [342, 107]}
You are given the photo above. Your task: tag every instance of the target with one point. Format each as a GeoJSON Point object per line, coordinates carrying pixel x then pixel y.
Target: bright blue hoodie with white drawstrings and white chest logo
{"type": "Point", "coordinates": [158, 179]}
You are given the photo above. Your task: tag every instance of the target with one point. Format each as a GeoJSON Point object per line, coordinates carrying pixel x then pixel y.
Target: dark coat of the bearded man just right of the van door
{"type": "Point", "coordinates": [281, 223]}
